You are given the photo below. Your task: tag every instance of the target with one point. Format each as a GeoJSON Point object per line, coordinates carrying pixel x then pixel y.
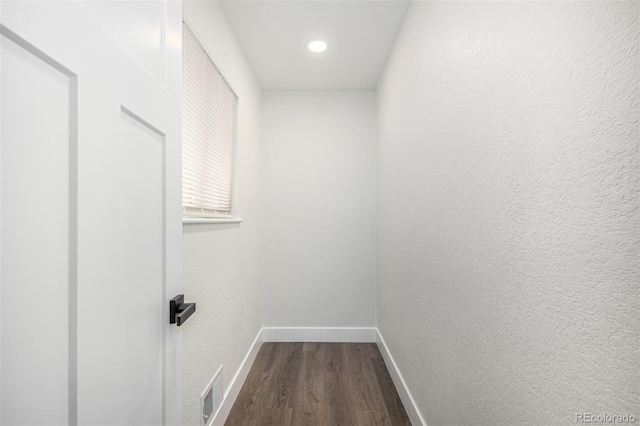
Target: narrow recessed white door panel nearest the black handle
{"type": "Point", "coordinates": [142, 192]}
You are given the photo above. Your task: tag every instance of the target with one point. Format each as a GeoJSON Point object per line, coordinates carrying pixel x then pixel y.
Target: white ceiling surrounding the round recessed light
{"type": "Point", "coordinates": [359, 33]}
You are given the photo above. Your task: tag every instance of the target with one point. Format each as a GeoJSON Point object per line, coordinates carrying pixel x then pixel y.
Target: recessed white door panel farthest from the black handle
{"type": "Point", "coordinates": [36, 144]}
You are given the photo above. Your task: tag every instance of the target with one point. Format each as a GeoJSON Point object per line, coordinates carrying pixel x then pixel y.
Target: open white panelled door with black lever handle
{"type": "Point", "coordinates": [90, 217]}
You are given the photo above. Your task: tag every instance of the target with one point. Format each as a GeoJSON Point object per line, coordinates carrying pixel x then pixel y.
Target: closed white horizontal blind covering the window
{"type": "Point", "coordinates": [209, 134]}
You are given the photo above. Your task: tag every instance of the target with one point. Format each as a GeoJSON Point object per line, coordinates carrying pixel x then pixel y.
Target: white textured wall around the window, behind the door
{"type": "Point", "coordinates": [221, 261]}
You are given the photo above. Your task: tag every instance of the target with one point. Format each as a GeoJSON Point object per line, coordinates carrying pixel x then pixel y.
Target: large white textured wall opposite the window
{"type": "Point", "coordinates": [508, 216]}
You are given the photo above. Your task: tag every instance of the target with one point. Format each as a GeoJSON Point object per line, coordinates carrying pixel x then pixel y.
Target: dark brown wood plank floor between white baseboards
{"type": "Point", "coordinates": [296, 384]}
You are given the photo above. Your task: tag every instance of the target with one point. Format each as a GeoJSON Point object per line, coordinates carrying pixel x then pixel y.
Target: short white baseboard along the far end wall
{"type": "Point", "coordinates": [320, 334]}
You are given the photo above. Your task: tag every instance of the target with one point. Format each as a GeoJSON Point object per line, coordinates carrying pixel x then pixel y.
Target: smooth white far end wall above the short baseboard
{"type": "Point", "coordinates": [318, 186]}
